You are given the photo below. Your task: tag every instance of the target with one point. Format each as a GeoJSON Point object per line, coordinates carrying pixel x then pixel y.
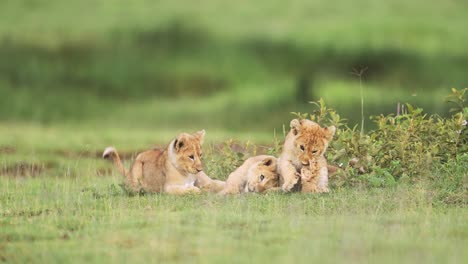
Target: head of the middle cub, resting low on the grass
{"type": "Point", "coordinates": [262, 176]}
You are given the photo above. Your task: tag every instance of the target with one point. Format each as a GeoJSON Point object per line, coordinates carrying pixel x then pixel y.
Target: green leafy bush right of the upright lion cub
{"type": "Point", "coordinates": [404, 147]}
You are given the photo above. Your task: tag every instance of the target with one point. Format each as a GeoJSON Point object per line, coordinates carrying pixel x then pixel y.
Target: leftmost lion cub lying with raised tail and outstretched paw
{"type": "Point", "coordinates": [173, 170]}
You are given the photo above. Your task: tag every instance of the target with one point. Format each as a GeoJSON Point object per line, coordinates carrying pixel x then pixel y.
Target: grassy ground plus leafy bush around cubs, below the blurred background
{"type": "Point", "coordinates": [63, 203]}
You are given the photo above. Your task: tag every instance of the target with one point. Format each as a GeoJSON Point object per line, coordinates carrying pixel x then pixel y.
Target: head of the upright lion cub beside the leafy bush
{"type": "Point", "coordinates": [310, 140]}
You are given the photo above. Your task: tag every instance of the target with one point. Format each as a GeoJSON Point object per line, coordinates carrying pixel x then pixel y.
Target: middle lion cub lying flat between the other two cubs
{"type": "Point", "coordinates": [256, 174]}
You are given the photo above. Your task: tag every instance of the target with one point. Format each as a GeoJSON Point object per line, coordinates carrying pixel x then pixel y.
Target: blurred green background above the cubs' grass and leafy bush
{"type": "Point", "coordinates": [237, 66]}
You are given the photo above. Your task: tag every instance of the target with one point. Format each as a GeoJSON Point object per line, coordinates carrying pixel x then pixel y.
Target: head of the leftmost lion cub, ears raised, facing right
{"type": "Point", "coordinates": [185, 152]}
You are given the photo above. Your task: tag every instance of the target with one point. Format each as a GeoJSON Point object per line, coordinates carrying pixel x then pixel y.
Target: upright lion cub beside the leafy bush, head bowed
{"type": "Point", "coordinates": [306, 141]}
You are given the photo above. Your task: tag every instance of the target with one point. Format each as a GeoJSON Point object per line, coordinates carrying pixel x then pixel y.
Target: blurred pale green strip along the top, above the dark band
{"type": "Point", "coordinates": [396, 24]}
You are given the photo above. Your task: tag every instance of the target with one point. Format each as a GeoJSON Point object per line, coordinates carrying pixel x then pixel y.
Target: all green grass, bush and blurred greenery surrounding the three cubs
{"type": "Point", "coordinates": [78, 76]}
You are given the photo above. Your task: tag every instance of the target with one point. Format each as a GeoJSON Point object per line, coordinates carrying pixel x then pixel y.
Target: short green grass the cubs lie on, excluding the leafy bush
{"type": "Point", "coordinates": [66, 205]}
